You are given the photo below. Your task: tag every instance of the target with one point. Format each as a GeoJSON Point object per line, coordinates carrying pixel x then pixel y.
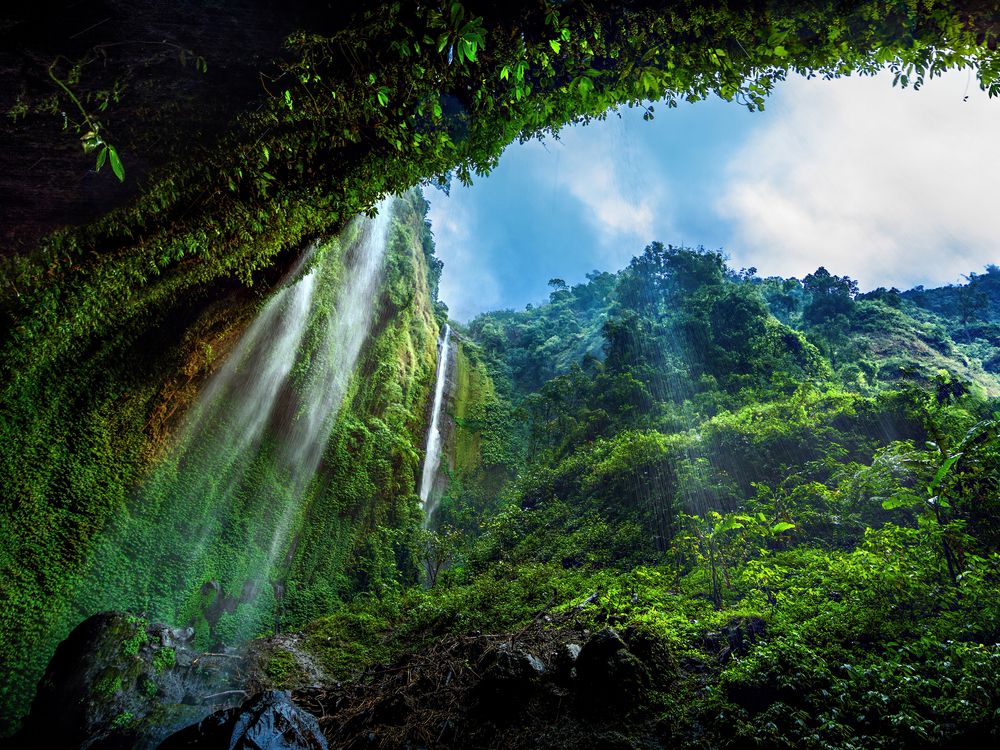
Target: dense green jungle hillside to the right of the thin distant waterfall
{"type": "Point", "coordinates": [782, 492]}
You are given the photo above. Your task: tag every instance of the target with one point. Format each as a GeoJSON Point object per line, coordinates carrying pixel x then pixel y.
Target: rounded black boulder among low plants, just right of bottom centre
{"type": "Point", "coordinates": [609, 676]}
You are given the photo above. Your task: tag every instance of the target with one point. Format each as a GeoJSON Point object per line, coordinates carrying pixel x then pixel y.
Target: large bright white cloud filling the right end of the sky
{"type": "Point", "coordinates": [892, 187]}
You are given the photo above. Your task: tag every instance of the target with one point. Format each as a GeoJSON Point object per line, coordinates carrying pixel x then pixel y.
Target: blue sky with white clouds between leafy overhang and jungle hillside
{"type": "Point", "coordinates": [893, 187]}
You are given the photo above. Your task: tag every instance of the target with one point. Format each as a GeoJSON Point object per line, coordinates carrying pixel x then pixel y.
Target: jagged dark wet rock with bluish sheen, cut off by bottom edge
{"type": "Point", "coordinates": [267, 721]}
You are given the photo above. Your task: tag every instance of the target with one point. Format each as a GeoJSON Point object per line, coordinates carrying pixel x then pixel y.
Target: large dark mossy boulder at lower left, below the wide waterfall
{"type": "Point", "coordinates": [119, 682]}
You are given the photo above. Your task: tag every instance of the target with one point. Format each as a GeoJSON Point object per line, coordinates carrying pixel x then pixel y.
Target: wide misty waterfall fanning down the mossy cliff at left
{"type": "Point", "coordinates": [215, 522]}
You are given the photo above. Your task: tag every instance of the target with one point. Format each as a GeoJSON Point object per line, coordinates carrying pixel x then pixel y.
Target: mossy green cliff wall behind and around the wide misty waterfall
{"type": "Point", "coordinates": [101, 516]}
